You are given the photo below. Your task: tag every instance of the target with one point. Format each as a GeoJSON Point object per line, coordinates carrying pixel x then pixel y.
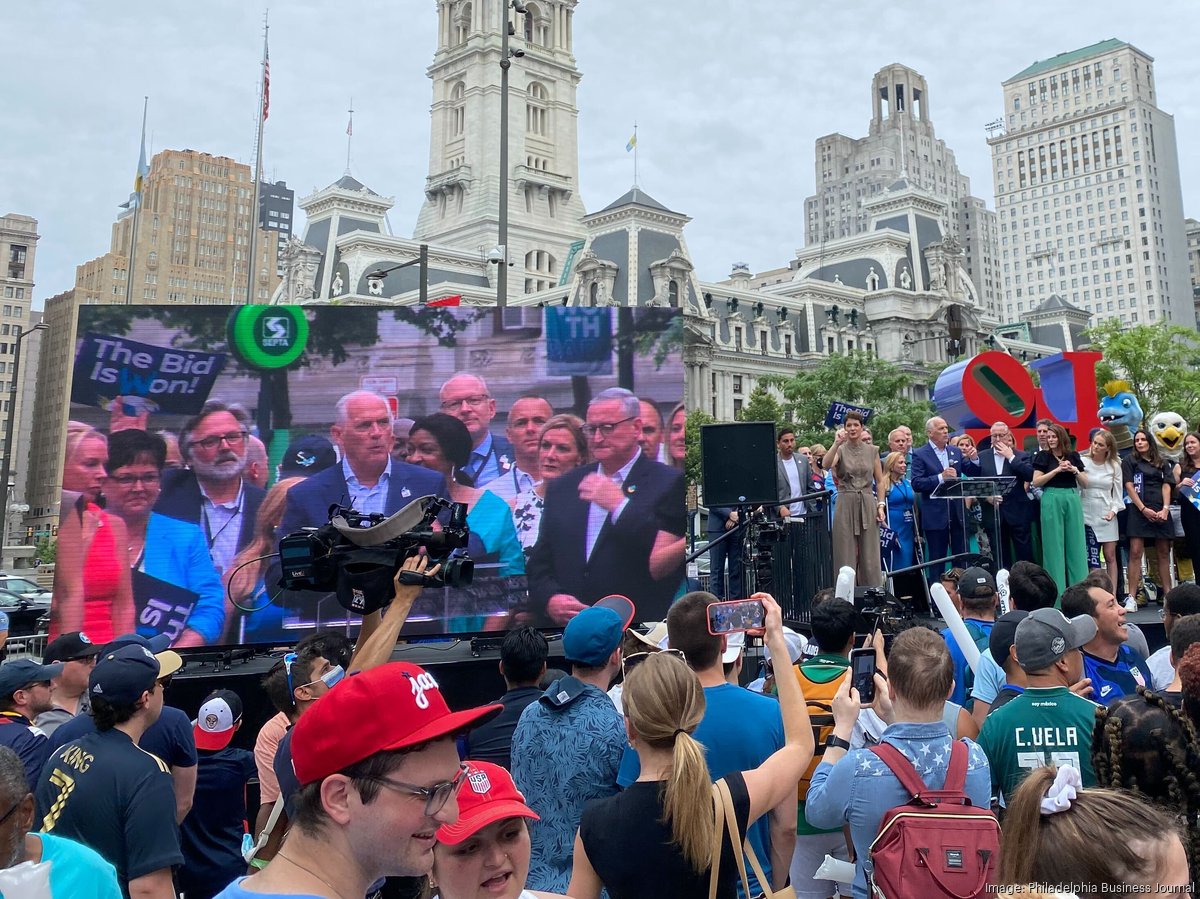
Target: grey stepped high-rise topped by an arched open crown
{"type": "Point", "coordinates": [901, 143]}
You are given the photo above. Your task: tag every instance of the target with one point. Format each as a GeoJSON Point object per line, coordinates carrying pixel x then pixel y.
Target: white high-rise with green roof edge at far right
{"type": "Point", "coordinates": [1088, 190]}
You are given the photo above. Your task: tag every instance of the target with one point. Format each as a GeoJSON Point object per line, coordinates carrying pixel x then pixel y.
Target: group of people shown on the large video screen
{"type": "Point", "coordinates": [169, 532]}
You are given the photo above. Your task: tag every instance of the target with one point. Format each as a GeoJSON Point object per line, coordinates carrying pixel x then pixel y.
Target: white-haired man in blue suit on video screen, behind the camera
{"type": "Point", "coordinates": [368, 480]}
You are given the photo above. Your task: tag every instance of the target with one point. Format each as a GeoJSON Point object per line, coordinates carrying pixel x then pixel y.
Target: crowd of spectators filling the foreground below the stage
{"type": "Point", "coordinates": [602, 778]}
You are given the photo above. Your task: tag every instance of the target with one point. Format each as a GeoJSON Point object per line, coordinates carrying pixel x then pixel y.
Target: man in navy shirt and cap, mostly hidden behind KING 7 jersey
{"type": "Point", "coordinates": [169, 738]}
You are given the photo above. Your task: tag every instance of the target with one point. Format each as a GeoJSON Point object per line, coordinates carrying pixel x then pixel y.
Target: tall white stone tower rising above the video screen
{"type": "Point", "coordinates": [464, 187]}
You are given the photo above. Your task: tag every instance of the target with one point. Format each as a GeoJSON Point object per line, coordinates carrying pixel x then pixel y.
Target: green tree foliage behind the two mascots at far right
{"type": "Point", "coordinates": [1161, 362]}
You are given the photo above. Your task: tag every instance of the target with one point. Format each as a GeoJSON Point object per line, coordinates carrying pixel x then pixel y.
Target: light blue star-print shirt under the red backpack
{"type": "Point", "coordinates": [860, 789]}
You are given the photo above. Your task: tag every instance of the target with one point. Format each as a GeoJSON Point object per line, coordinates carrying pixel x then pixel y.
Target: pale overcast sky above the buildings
{"type": "Point", "coordinates": [729, 99]}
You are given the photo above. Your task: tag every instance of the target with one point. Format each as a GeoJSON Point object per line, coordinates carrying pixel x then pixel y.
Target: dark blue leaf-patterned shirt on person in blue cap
{"type": "Point", "coordinates": [567, 750]}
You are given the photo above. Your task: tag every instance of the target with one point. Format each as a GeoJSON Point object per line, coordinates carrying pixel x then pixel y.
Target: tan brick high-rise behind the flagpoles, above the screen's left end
{"type": "Point", "coordinates": [193, 239]}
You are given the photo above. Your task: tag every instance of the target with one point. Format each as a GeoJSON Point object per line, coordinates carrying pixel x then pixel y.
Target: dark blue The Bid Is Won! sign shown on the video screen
{"type": "Point", "coordinates": [176, 381]}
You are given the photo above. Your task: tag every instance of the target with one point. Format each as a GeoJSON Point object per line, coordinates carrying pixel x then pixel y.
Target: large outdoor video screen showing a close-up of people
{"type": "Point", "coordinates": [202, 437]}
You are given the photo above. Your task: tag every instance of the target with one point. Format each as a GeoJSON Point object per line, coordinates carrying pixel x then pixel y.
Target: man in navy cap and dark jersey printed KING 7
{"type": "Point", "coordinates": [104, 790]}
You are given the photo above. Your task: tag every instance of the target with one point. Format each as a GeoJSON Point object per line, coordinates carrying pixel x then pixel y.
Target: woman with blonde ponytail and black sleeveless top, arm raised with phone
{"type": "Point", "coordinates": [656, 840]}
